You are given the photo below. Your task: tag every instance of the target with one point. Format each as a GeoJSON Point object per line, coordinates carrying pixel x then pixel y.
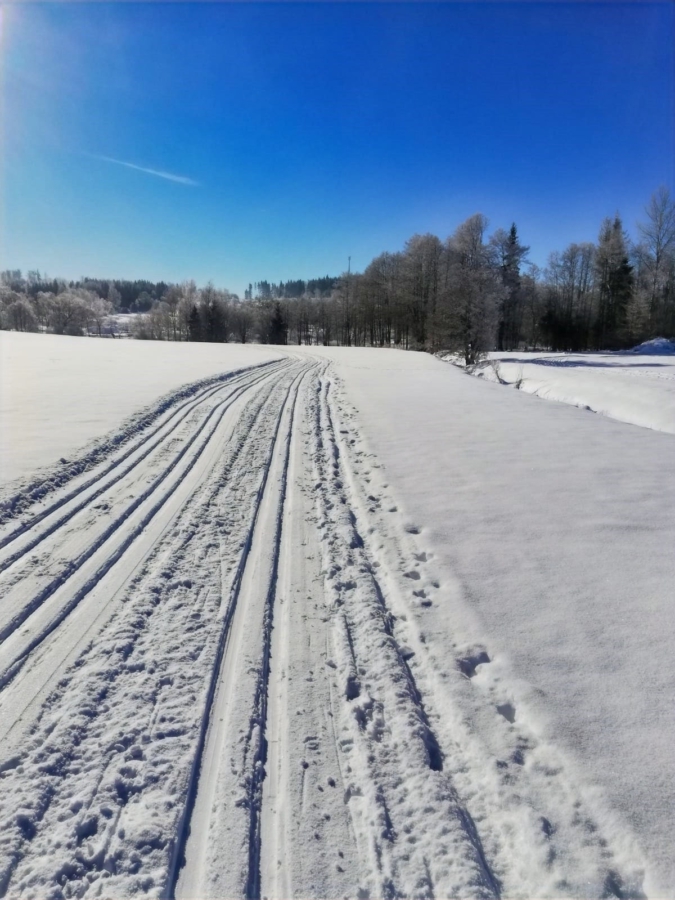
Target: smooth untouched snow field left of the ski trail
{"type": "Point", "coordinates": [58, 393]}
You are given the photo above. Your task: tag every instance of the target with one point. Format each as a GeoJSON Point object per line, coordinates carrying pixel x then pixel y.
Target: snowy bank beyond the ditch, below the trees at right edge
{"type": "Point", "coordinates": [636, 386]}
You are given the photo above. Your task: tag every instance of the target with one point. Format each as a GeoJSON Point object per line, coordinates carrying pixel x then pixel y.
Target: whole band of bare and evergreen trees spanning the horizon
{"type": "Point", "coordinates": [470, 293]}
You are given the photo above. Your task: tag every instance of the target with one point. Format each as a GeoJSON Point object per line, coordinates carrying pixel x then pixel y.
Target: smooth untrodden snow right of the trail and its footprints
{"type": "Point", "coordinates": [558, 527]}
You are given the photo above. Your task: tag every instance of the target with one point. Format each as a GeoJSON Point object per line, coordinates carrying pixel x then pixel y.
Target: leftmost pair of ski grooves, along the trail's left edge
{"type": "Point", "coordinates": [174, 420]}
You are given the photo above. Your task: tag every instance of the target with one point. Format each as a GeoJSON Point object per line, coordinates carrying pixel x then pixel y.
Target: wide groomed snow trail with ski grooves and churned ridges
{"type": "Point", "coordinates": [215, 681]}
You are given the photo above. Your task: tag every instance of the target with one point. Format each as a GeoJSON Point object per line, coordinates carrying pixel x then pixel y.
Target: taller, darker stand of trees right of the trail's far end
{"type": "Point", "coordinates": [475, 292]}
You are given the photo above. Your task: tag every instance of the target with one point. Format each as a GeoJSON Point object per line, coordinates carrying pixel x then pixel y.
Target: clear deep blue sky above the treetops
{"type": "Point", "coordinates": [319, 131]}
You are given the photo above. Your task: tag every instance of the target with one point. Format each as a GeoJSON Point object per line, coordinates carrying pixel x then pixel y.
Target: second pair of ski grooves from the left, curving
{"type": "Point", "coordinates": [73, 566]}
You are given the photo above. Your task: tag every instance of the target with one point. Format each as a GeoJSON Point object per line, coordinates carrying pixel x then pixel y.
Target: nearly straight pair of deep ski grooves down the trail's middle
{"type": "Point", "coordinates": [260, 705]}
